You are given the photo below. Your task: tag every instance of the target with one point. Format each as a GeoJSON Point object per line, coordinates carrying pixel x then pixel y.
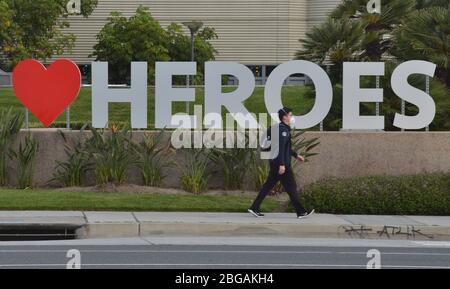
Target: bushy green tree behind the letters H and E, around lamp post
{"type": "Point", "coordinates": [141, 38]}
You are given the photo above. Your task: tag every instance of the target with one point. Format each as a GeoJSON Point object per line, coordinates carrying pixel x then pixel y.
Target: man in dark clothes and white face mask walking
{"type": "Point", "coordinates": [281, 170]}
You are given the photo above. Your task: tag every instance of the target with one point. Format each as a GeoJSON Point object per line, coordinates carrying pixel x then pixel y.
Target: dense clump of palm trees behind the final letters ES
{"type": "Point", "coordinates": [401, 32]}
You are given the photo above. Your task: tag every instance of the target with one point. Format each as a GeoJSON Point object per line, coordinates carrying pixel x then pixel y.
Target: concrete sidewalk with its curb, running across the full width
{"type": "Point", "coordinates": [133, 224]}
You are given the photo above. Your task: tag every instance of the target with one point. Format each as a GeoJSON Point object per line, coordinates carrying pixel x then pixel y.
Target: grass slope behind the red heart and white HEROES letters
{"type": "Point", "coordinates": [80, 110]}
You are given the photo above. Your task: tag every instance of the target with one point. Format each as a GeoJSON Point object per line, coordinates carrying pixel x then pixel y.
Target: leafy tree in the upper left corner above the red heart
{"type": "Point", "coordinates": [34, 29]}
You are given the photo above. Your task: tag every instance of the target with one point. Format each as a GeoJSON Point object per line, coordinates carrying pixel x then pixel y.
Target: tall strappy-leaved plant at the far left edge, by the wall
{"type": "Point", "coordinates": [10, 124]}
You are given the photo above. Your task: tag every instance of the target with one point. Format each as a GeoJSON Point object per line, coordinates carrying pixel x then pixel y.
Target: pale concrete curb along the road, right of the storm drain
{"type": "Point", "coordinates": [394, 232]}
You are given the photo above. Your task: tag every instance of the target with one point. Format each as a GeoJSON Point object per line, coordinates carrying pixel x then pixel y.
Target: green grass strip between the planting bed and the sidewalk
{"type": "Point", "coordinates": [12, 199]}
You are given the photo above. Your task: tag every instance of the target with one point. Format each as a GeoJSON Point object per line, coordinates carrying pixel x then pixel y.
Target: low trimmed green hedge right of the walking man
{"type": "Point", "coordinates": [421, 194]}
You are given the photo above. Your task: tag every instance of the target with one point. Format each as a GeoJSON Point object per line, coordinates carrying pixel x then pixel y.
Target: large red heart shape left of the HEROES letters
{"type": "Point", "coordinates": [46, 92]}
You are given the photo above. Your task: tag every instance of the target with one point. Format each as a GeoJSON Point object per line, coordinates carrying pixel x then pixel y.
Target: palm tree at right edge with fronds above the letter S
{"type": "Point", "coordinates": [425, 34]}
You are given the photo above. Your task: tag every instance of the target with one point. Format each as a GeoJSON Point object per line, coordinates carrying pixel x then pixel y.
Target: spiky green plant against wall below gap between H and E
{"type": "Point", "coordinates": [152, 158]}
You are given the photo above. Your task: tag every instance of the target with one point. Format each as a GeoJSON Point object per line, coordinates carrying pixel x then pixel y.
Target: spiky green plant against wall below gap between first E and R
{"type": "Point", "coordinates": [194, 176]}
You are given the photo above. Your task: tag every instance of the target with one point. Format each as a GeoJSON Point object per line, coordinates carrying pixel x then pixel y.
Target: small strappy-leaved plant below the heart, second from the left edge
{"type": "Point", "coordinates": [25, 157]}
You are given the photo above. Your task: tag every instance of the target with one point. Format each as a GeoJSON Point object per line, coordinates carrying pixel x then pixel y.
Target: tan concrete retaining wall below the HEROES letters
{"type": "Point", "coordinates": [341, 154]}
